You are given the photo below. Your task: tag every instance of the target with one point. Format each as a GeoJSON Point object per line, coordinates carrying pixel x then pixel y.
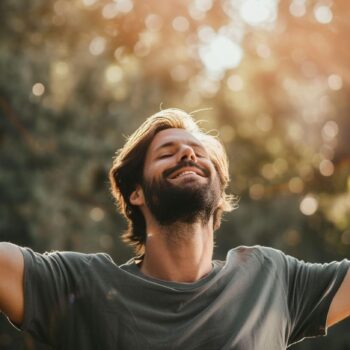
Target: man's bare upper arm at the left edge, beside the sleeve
{"type": "Point", "coordinates": [11, 282]}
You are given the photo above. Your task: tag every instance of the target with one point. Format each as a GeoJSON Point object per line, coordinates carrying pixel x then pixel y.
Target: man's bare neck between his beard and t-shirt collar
{"type": "Point", "coordinates": [179, 252]}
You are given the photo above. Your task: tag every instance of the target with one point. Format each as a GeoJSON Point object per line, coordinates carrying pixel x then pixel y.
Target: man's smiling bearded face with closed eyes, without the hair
{"type": "Point", "coordinates": [180, 183]}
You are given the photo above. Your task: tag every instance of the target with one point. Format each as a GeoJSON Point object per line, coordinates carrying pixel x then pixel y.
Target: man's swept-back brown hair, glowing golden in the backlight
{"type": "Point", "coordinates": [127, 169]}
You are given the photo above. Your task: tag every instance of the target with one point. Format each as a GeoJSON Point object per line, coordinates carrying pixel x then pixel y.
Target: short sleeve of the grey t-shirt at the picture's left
{"type": "Point", "coordinates": [51, 280]}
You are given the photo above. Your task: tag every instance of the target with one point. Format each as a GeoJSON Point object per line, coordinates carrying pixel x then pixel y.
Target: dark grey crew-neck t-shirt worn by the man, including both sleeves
{"type": "Point", "coordinates": [259, 298]}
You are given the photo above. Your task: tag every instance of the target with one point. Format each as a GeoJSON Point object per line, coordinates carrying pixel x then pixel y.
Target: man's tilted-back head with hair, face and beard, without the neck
{"type": "Point", "coordinates": [180, 172]}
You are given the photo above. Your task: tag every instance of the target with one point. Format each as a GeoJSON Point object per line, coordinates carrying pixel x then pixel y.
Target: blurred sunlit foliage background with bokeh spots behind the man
{"type": "Point", "coordinates": [78, 76]}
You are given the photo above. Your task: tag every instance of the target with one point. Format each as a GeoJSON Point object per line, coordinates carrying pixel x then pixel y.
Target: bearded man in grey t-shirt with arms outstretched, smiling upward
{"type": "Point", "coordinates": [170, 181]}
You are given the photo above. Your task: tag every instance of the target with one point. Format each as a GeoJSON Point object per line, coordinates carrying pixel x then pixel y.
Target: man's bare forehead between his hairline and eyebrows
{"type": "Point", "coordinates": [173, 137]}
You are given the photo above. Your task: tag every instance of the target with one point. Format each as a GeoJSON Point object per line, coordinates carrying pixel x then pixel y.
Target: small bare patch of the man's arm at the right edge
{"type": "Point", "coordinates": [340, 306]}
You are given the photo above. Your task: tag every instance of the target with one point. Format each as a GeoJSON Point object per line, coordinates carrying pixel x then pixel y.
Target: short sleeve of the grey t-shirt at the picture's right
{"type": "Point", "coordinates": [310, 288]}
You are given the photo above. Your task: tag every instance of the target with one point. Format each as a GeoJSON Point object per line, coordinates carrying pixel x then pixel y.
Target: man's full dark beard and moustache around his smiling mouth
{"type": "Point", "coordinates": [187, 202]}
